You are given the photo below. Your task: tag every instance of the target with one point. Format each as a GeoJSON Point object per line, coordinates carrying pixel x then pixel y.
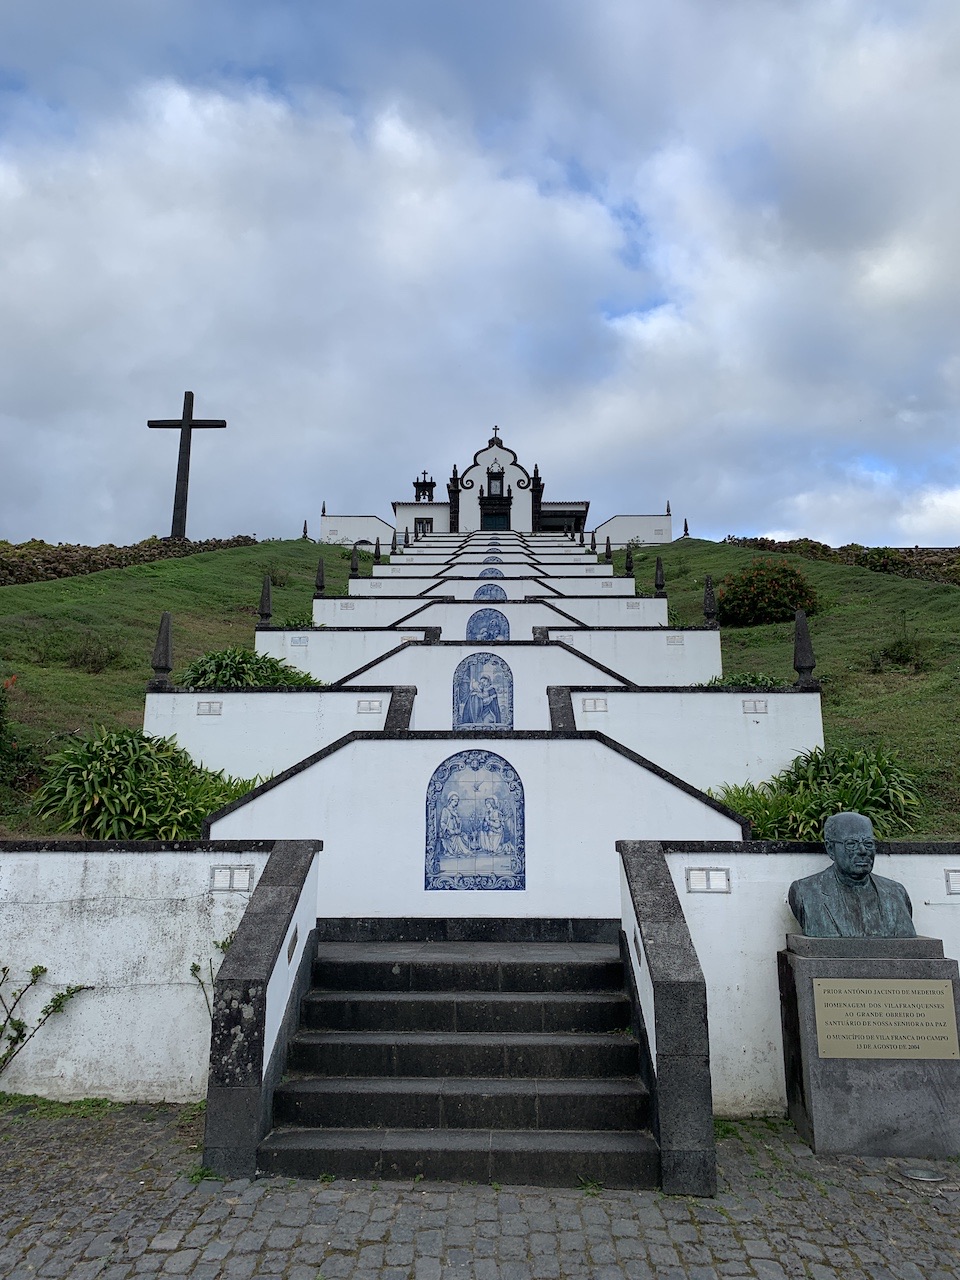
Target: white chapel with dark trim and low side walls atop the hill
{"type": "Point", "coordinates": [493, 495]}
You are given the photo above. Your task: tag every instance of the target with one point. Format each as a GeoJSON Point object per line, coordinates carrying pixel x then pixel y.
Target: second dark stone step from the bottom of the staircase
{"type": "Point", "coordinates": [463, 1104]}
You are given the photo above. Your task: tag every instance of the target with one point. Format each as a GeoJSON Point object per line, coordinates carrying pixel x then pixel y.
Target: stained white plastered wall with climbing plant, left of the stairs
{"type": "Point", "coordinates": [130, 926]}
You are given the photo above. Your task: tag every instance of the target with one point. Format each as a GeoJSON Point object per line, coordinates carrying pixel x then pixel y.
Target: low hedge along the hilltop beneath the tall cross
{"type": "Point", "coordinates": [43, 563]}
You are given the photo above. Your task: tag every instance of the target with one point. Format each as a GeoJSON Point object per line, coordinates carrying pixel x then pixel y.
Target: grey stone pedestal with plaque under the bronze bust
{"type": "Point", "coordinates": [871, 1045]}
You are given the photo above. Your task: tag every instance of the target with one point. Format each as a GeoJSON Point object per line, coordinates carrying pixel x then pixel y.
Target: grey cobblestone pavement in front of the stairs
{"type": "Point", "coordinates": [111, 1196]}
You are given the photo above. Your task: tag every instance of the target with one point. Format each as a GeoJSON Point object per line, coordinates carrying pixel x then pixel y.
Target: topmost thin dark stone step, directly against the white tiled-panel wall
{"type": "Point", "coordinates": [444, 930]}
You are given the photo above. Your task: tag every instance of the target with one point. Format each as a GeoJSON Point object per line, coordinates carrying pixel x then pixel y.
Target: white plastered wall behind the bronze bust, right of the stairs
{"type": "Point", "coordinates": [738, 936]}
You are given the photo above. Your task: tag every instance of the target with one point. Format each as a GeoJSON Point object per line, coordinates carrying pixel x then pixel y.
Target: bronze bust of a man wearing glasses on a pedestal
{"type": "Point", "coordinates": [848, 900]}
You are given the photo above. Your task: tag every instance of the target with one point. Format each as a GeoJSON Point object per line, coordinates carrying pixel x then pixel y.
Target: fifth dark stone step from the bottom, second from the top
{"type": "Point", "coordinates": [468, 967]}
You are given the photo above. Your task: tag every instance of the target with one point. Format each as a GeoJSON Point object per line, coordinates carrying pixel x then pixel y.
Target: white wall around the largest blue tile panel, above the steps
{"type": "Point", "coordinates": [374, 840]}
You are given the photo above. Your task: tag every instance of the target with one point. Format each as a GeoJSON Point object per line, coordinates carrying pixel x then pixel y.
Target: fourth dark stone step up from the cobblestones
{"type": "Point", "coordinates": [467, 1012]}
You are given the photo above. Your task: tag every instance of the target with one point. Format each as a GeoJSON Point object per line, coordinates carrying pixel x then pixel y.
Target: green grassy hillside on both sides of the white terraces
{"type": "Point", "coordinates": [53, 633]}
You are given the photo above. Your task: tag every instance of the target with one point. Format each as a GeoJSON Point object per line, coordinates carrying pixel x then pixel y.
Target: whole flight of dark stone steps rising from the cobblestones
{"type": "Point", "coordinates": [467, 1060]}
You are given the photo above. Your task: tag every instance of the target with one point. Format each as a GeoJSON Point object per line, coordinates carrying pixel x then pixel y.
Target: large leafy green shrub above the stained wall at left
{"type": "Point", "coordinates": [130, 787]}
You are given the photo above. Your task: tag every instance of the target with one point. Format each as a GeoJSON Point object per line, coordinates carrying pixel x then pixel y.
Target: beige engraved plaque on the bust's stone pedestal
{"type": "Point", "coordinates": [885, 1018]}
